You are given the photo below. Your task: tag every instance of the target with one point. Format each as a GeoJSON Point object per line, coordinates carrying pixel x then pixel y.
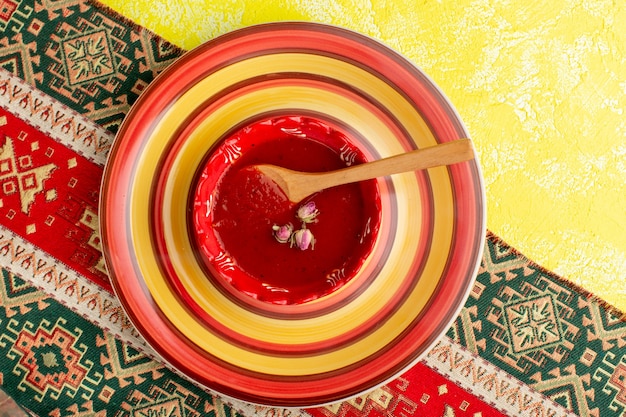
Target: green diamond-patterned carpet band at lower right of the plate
{"type": "Point", "coordinates": [545, 332]}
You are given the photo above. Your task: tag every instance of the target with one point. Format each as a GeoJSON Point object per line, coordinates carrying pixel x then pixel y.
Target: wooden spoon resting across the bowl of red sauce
{"type": "Point", "coordinates": [299, 185]}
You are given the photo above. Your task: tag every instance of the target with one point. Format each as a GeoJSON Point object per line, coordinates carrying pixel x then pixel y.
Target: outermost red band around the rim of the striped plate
{"type": "Point", "coordinates": [201, 366]}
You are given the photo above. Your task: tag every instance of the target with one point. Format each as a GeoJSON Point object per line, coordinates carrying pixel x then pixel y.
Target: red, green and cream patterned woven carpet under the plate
{"type": "Point", "coordinates": [526, 343]}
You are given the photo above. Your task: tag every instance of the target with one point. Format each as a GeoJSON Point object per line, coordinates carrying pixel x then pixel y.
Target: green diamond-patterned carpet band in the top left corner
{"type": "Point", "coordinates": [81, 55]}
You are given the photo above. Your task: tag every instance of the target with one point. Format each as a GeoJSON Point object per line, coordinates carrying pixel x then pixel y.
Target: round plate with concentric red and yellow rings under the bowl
{"type": "Point", "coordinates": [344, 342]}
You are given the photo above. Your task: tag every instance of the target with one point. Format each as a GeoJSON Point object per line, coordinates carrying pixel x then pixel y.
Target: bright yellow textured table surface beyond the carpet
{"type": "Point", "coordinates": [541, 87]}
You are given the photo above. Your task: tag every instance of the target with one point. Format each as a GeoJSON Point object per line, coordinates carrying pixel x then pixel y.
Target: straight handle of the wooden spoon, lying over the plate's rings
{"type": "Point", "coordinates": [442, 154]}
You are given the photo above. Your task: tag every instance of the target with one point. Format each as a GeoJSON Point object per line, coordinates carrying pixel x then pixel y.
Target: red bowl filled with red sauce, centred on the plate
{"type": "Point", "coordinates": [235, 210]}
